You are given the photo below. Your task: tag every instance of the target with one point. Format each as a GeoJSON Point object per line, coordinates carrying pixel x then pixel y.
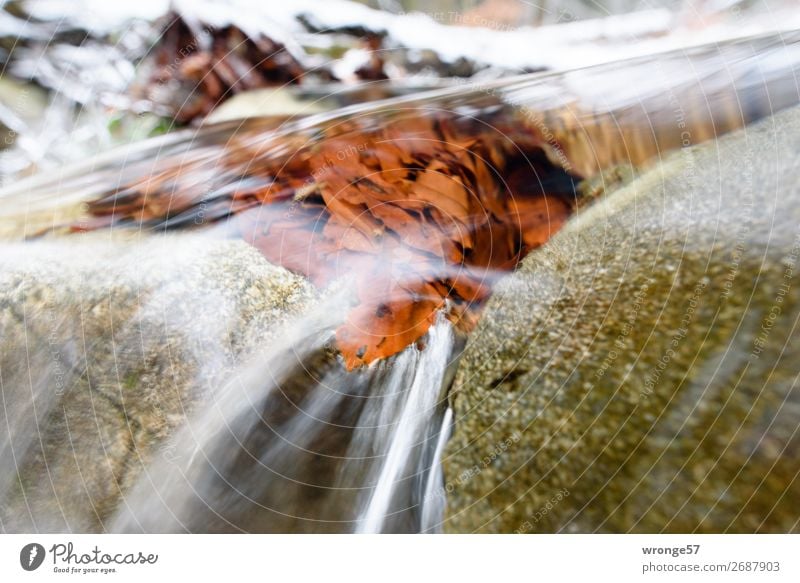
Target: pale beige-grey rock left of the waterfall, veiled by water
{"type": "Point", "coordinates": [107, 347]}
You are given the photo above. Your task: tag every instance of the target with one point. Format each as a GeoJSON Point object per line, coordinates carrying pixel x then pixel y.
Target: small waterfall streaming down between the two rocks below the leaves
{"type": "Point", "coordinates": [297, 444]}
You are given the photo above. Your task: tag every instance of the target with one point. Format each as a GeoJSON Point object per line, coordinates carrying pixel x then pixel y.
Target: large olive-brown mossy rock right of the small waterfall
{"type": "Point", "coordinates": [638, 374]}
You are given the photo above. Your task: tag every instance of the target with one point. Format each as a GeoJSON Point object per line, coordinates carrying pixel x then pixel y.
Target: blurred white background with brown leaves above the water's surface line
{"type": "Point", "coordinates": [80, 76]}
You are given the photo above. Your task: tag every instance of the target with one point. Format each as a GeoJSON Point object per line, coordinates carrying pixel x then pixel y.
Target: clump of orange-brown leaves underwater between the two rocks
{"type": "Point", "coordinates": [414, 209]}
